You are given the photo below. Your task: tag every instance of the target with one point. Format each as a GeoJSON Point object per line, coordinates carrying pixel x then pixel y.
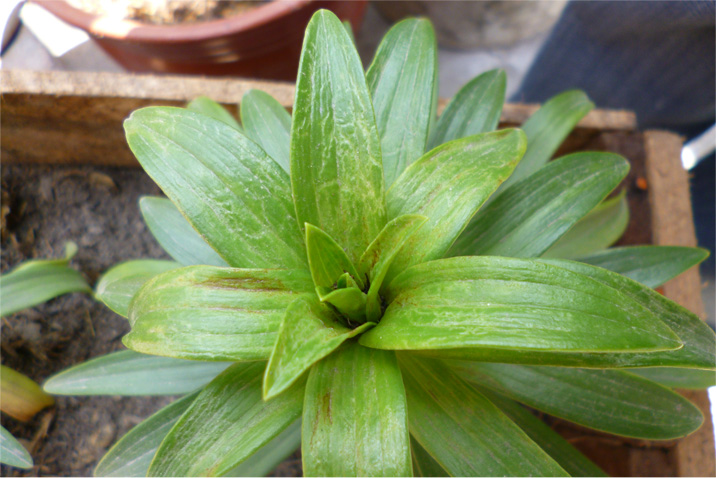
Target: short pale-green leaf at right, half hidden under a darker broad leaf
{"type": "Point", "coordinates": [599, 229]}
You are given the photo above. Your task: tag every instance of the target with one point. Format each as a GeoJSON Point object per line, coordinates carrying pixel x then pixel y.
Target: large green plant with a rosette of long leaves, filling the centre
{"type": "Point", "coordinates": [384, 289]}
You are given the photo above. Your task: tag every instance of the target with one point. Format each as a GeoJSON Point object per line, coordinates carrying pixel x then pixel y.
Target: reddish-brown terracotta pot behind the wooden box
{"type": "Point", "coordinates": [264, 42]}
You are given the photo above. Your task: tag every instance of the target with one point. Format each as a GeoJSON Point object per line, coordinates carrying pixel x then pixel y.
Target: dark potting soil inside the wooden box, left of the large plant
{"type": "Point", "coordinates": [43, 208]}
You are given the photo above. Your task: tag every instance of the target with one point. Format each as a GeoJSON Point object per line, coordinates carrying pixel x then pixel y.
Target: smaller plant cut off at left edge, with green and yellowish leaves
{"type": "Point", "coordinates": [29, 284]}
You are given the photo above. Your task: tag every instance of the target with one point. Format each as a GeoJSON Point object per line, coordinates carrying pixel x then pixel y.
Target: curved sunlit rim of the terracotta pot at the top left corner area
{"type": "Point", "coordinates": [120, 29]}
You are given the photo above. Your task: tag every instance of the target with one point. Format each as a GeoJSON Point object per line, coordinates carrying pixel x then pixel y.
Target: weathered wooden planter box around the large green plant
{"type": "Point", "coordinates": [59, 119]}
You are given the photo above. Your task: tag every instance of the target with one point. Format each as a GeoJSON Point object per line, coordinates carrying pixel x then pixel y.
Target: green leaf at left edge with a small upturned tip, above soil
{"type": "Point", "coordinates": [37, 281]}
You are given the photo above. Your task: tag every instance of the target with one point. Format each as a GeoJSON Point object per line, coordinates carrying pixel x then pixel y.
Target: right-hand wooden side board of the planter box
{"type": "Point", "coordinates": [673, 224]}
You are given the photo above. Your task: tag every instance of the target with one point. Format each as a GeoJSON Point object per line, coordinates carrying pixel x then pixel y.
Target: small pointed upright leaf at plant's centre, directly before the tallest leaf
{"type": "Point", "coordinates": [326, 259]}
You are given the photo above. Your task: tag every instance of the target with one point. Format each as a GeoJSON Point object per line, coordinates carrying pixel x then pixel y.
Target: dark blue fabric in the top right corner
{"type": "Point", "coordinates": [655, 58]}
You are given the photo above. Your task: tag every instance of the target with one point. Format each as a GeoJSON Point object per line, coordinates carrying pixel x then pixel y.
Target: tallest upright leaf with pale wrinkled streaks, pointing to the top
{"type": "Point", "coordinates": [336, 169]}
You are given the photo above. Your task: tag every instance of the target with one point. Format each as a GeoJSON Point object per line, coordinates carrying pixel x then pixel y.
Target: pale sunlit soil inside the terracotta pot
{"type": "Point", "coordinates": [166, 12]}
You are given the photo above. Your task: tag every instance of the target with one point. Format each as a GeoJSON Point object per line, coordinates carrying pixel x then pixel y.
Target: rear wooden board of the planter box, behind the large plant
{"type": "Point", "coordinates": [53, 117]}
